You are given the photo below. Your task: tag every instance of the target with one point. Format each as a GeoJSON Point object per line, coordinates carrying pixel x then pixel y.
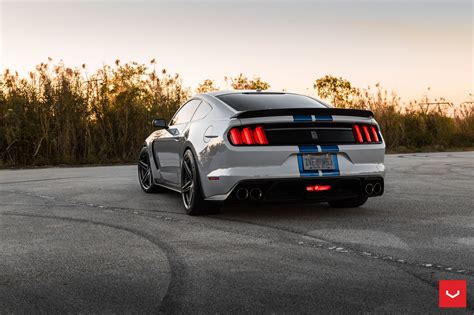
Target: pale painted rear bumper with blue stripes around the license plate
{"type": "Point", "coordinates": [229, 168]}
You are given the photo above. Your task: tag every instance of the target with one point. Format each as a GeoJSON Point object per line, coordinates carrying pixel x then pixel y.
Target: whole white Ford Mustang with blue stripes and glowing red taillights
{"type": "Point", "coordinates": [254, 146]}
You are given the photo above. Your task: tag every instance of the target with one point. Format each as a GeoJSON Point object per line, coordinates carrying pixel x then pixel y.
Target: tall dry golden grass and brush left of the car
{"type": "Point", "coordinates": [65, 116]}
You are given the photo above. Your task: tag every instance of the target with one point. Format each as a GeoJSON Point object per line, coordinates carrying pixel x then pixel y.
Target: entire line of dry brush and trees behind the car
{"type": "Point", "coordinates": [60, 115]}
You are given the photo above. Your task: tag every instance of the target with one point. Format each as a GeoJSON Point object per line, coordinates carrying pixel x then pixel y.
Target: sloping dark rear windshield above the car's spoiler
{"type": "Point", "coordinates": [260, 101]}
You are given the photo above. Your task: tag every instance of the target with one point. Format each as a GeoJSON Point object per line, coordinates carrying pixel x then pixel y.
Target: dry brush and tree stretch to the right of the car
{"type": "Point", "coordinates": [417, 127]}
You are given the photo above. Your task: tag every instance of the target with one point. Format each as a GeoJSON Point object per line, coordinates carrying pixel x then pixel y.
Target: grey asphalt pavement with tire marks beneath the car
{"type": "Point", "coordinates": [88, 240]}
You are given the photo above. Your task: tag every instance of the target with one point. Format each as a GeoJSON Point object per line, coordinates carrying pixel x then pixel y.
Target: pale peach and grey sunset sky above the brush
{"type": "Point", "coordinates": [405, 45]}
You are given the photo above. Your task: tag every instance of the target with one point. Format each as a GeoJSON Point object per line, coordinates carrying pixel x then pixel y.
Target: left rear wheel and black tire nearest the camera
{"type": "Point", "coordinates": [191, 190]}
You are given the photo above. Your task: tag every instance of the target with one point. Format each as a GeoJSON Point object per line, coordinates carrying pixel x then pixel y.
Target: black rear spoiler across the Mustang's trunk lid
{"type": "Point", "coordinates": [304, 111]}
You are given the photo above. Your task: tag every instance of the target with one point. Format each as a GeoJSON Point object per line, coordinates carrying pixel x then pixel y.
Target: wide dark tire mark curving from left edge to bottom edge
{"type": "Point", "coordinates": [178, 268]}
